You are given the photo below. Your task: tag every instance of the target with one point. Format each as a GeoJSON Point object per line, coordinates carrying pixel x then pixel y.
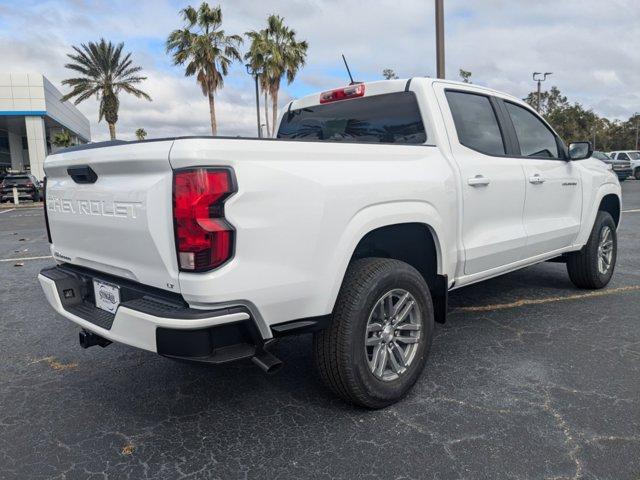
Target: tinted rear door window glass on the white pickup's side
{"type": "Point", "coordinates": [476, 122]}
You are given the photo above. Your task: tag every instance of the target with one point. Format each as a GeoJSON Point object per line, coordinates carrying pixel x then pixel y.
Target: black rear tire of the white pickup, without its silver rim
{"type": "Point", "coordinates": [340, 353]}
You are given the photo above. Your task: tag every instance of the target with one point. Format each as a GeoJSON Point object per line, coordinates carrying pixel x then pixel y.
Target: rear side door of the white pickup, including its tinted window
{"type": "Point", "coordinates": [493, 184]}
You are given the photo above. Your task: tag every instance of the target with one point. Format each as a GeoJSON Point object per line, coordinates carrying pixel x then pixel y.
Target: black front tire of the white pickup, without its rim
{"type": "Point", "coordinates": [583, 265]}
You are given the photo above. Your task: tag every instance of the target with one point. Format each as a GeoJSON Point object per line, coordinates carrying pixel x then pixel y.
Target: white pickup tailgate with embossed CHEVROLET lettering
{"type": "Point", "coordinates": [122, 222]}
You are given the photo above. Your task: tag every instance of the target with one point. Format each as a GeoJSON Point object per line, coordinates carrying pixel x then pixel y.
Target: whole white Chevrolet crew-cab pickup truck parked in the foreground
{"type": "Point", "coordinates": [373, 202]}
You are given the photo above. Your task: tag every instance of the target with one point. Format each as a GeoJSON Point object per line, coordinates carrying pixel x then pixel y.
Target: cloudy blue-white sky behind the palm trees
{"type": "Point", "coordinates": [591, 46]}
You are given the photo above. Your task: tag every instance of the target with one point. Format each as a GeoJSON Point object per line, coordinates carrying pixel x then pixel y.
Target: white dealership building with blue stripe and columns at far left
{"type": "Point", "coordinates": [31, 113]}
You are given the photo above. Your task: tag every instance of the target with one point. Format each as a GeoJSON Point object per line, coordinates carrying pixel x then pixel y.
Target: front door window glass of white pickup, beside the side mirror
{"type": "Point", "coordinates": [535, 139]}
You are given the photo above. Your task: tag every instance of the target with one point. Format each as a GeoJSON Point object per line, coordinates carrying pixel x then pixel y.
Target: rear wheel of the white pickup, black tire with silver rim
{"type": "Point", "coordinates": [379, 338]}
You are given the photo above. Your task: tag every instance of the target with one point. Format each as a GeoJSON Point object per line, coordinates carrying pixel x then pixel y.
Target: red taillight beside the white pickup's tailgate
{"type": "Point", "coordinates": [204, 239]}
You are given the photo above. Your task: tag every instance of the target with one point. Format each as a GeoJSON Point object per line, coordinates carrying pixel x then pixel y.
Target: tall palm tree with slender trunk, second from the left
{"type": "Point", "coordinates": [206, 50]}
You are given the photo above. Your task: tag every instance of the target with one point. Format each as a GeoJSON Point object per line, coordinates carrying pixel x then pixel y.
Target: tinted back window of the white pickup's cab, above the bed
{"type": "Point", "coordinates": [388, 118]}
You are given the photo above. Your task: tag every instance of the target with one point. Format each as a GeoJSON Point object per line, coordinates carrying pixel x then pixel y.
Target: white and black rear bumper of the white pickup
{"type": "Point", "coordinates": [153, 323]}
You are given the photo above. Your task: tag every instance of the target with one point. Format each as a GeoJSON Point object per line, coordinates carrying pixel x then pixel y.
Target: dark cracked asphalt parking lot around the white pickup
{"type": "Point", "coordinates": [529, 378]}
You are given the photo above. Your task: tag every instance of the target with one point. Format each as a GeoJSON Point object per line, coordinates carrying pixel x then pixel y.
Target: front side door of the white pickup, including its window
{"type": "Point", "coordinates": [553, 206]}
